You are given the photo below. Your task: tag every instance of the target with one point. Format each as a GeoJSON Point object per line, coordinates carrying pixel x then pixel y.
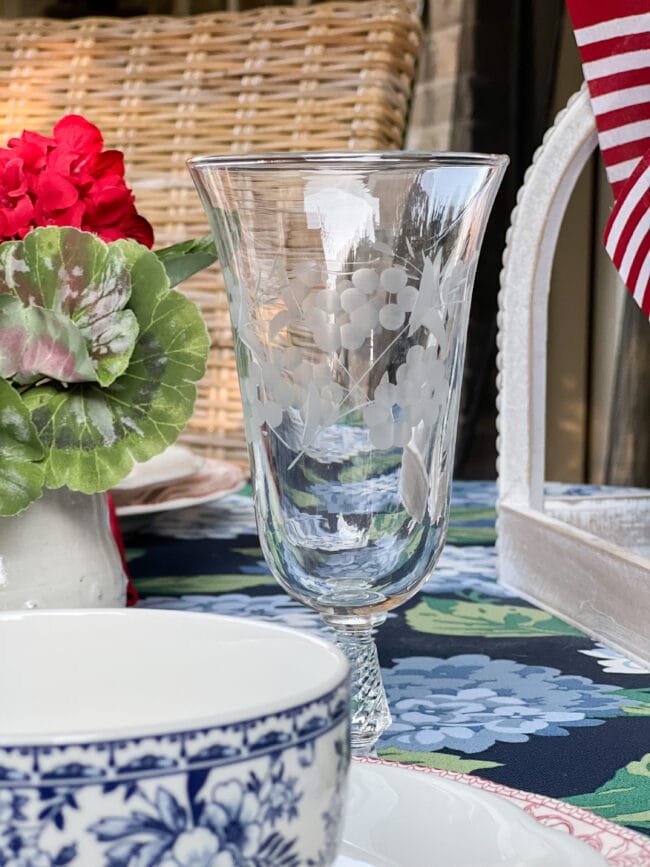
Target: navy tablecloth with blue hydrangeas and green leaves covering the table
{"type": "Point", "coordinates": [479, 681]}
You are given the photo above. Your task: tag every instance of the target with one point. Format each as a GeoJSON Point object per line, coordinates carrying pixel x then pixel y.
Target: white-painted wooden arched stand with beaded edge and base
{"type": "Point", "coordinates": [585, 560]}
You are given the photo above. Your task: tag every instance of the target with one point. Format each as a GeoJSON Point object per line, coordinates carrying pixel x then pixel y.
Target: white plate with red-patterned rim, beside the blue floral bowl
{"type": "Point", "coordinates": [415, 817]}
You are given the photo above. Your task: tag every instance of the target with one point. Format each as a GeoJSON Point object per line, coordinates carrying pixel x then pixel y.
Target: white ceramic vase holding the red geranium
{"type": "Point", "coordinates": [60, 553]}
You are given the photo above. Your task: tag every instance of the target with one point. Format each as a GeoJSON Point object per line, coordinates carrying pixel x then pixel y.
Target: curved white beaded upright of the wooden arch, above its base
{"type": "Point", "coordinates": [523, 298]}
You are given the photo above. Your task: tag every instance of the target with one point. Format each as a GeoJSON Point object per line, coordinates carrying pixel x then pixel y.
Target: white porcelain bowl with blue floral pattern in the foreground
{"type": "Point", "coordinates": [132, 738]}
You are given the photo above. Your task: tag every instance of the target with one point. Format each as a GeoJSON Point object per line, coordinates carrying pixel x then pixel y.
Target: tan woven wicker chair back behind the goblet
{"type": "Point", "coordinates": [163, 89]}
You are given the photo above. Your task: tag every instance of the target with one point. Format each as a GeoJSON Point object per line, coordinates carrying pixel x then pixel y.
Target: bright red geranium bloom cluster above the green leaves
{"type": "Point", "coordinates": [67, 180]}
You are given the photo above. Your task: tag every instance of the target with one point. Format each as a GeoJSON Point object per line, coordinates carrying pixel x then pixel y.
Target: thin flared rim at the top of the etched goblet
{"type": "Point", "coordinates": [346, 160]}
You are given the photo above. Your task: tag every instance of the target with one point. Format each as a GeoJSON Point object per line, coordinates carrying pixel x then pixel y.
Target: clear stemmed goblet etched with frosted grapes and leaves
{"type": "Point", "coordinates": [349, 280]}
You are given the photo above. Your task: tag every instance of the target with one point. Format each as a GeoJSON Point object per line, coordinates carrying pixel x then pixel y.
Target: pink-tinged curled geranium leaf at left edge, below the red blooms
{"type": "Point", "coordinates": [37, 343]}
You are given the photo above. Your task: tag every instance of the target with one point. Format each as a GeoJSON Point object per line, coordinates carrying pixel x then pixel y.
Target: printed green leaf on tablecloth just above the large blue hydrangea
{"type": "Point", "coordinates": [457, 617]}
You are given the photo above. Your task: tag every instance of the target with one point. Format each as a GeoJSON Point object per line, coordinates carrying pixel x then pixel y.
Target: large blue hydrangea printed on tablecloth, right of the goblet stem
{"type": "Point", "coordinates": [468, 703]}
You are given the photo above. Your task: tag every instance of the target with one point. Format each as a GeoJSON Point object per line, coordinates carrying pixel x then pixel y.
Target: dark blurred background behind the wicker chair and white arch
{"type": "Point", "coordinates": [492, 75]}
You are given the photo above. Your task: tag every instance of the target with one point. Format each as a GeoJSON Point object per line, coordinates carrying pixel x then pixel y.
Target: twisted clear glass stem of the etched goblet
{"type": "Point", "coordinates": [370, 714]}
